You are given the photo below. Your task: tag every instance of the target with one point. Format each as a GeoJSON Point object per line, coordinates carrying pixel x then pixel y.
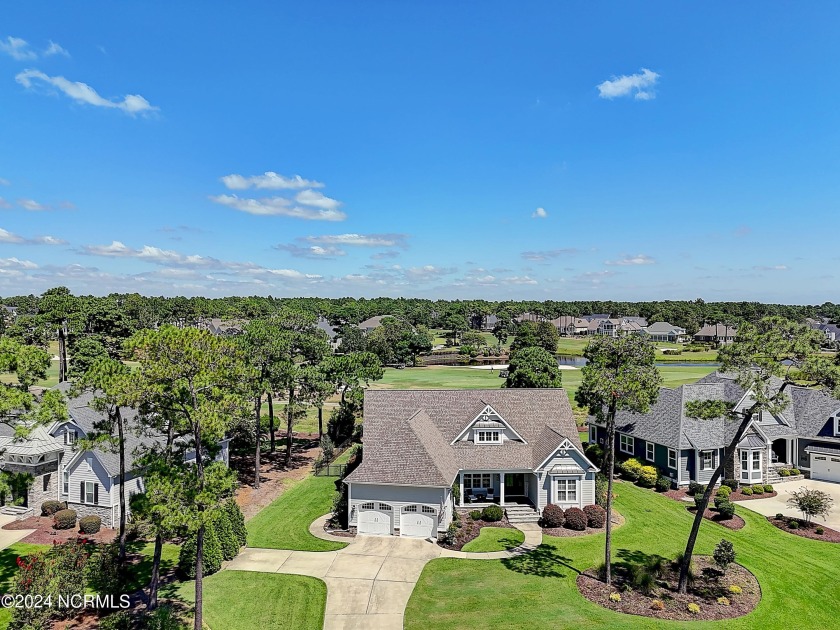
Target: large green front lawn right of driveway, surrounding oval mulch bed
{"type": "Point", "coordinates": [798, 576]}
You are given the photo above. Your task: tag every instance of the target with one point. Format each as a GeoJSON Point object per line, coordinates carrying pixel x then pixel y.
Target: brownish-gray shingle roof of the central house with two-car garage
{"type": "Point", "coordinates": [409, 433]}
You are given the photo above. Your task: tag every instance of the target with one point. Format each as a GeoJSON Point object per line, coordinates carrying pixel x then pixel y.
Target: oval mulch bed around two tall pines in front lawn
{"type": "Point", "coordinates": [709, 585]}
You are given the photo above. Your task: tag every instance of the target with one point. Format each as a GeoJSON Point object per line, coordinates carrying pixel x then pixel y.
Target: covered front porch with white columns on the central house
{"type": "Point", "coordinates": [483, 488]}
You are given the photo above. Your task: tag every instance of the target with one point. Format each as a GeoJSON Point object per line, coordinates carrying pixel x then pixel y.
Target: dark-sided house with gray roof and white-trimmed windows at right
{"type": "Point", "coordinates": [806, 435]}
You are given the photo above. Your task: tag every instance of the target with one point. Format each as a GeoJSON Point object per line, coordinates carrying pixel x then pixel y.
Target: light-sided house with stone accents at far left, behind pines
{"type": "Point", "coordinates": [88, 480]}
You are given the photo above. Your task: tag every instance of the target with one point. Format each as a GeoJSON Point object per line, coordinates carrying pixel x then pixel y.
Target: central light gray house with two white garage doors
{"type": "Point", "coordinates": [515, 447]}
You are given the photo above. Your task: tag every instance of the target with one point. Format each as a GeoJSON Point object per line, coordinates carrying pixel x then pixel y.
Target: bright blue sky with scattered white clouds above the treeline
{"type": "Point", "coordinates": [539, 150]}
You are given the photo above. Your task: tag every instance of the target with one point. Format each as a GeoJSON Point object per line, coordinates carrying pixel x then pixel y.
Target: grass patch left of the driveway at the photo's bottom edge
{"type": "Point", "coordinates": [235, 600]}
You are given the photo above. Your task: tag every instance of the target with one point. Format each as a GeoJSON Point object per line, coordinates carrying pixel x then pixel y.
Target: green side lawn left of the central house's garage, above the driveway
{"type": "Point", "coordinates": [284, 524]}
